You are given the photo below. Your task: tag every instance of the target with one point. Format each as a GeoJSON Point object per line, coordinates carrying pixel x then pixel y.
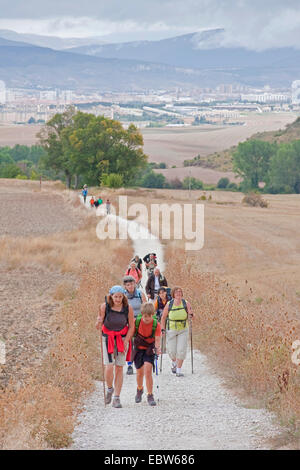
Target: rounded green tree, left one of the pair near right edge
{"type": "Point", "coordinates": [252, 160]}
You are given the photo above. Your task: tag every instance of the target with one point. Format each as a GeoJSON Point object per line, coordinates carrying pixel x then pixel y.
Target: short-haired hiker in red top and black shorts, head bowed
{"type": "Point", "coordinates": [146, 344]}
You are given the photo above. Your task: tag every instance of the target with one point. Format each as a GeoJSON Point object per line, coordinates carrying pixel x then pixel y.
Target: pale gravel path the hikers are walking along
{"type": "Point", "coordinates": [194, 412]}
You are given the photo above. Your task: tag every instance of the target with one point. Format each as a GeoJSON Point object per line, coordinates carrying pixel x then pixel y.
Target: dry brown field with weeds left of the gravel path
{"type": "Point", "coordinates": [53, 276]}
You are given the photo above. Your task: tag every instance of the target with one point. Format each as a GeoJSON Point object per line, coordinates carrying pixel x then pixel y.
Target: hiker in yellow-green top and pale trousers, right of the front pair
{"type": "Point", "coordinates": [176, 315]}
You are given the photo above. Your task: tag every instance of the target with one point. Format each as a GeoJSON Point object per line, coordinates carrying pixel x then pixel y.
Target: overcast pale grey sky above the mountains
{"type": "Point", "coordinates": [255, 24]}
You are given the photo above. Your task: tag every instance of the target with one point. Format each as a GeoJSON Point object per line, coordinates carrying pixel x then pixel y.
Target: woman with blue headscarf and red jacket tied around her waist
{"type": "Point", "coordinates": [116, 321]}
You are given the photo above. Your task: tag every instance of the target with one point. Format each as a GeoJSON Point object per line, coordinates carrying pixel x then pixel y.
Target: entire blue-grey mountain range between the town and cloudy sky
{"type": "Point", "coordinates": [191, 60]}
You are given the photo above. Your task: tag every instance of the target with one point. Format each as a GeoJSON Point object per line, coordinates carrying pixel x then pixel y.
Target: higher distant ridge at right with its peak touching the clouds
{"type": "Point", "coordinates": [196, 50]}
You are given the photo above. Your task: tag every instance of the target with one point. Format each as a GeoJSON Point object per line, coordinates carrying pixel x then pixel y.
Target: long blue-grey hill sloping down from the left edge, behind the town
{"type": "Point", "coordinates": [24, 65]}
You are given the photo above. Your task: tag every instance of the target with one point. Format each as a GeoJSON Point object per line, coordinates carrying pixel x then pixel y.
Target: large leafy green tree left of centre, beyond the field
{"type": "Point", "coordinates": [89, 146]}
